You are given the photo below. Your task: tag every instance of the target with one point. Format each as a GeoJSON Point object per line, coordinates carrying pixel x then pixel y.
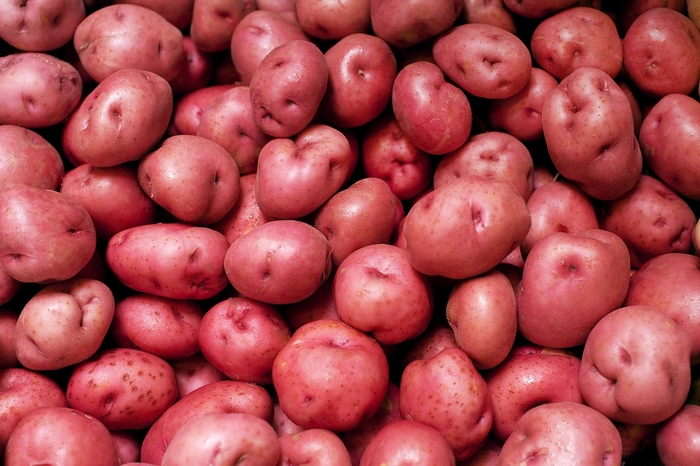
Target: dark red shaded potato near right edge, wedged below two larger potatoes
{"type": "Point", "coordinates": [651, 219]}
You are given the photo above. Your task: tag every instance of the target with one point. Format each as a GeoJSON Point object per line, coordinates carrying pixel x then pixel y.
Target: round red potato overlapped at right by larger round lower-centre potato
{"type": "Point", "coordinates": [241, 337]}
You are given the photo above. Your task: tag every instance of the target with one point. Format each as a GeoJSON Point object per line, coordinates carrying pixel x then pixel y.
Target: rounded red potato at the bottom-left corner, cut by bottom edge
{"type": "Point", "coordinates": [59, 435]}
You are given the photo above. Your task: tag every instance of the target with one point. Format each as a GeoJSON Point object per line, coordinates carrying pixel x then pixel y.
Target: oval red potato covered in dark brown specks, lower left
{"type": "Point", "coordinates": [123, 388]}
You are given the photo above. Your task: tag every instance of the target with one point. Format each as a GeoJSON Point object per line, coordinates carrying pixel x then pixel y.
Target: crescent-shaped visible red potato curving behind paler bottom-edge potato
{"type": "Point", "coordinates": [227, 396]}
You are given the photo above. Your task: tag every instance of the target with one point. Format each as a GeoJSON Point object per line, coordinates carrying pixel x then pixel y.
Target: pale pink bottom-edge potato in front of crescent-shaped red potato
{"type": "Point", "coordinates": [227, 438]}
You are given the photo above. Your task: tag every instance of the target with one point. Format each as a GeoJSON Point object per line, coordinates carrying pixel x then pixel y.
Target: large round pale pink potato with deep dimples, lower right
{"type": "Point", "coordinates": [652, 350]}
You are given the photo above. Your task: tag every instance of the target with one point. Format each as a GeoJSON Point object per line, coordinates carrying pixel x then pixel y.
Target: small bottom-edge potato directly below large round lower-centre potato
{"type": "Point", "coordinates": [315, 447]}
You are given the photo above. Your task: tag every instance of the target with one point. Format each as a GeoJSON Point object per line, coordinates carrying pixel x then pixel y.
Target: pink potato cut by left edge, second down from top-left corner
{"type": "Point", "coordinates": [39, 90]}
